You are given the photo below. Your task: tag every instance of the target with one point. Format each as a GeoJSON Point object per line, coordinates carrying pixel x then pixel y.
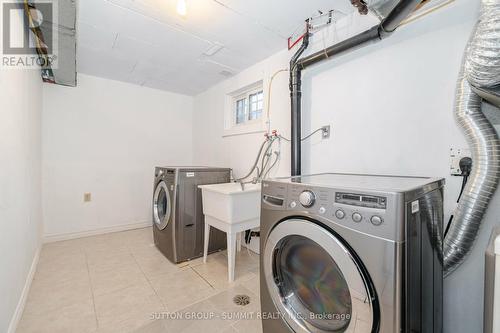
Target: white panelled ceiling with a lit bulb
{"type": "Point", "coordinates": [146, 42]}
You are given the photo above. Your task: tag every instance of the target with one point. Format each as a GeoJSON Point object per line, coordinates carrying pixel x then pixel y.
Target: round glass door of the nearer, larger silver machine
{"type": "Point", "coordinates": [316, 281]}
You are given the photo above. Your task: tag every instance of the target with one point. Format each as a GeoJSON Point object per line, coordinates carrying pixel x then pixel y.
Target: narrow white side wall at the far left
{"type": "Point", "coordinates": [20, 183]}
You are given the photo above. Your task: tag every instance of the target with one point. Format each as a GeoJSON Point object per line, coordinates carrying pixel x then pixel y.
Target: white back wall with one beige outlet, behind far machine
{"type": "Point", "coordinates": [106, 137]}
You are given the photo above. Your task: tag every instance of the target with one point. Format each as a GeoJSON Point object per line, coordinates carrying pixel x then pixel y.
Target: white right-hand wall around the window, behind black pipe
{"type": "Point", "coordinates": [391, 108]}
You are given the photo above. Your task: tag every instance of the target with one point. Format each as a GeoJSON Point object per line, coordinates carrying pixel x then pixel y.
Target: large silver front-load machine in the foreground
{"type": "Point", "coordinates": [352, 253]}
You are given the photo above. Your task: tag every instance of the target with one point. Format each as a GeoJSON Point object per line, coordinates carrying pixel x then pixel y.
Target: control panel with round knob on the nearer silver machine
{"type": "Point", "coordinates": [369, 212]}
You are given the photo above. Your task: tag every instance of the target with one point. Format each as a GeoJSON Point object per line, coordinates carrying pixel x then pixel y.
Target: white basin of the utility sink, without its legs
{"type": "Point", "coordinates": [229, 203]}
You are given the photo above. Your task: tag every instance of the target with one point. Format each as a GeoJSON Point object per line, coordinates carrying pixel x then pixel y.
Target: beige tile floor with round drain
{"type": "Point", "coordinates": [120, 282]}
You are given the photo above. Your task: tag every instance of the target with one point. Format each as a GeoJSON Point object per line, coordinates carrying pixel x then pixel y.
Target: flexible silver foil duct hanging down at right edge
{"type": "Point", "coordinates": [481, 68]}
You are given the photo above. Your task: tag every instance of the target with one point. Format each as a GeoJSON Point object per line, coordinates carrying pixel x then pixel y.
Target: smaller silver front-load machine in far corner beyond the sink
{"type": "Point", "coordinates": [178, 220]}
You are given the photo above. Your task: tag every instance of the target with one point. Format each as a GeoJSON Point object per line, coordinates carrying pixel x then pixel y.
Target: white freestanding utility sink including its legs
{"type": "Point", "coordinates": [233, 210]}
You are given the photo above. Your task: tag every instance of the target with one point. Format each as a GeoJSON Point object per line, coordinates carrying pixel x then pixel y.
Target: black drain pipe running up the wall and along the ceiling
{"type": "Point", "coordinates": [297, 65]}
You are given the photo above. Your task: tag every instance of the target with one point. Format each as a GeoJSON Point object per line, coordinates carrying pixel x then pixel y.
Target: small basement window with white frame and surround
{"type": "Point", "coordinates": [245, 110]}
